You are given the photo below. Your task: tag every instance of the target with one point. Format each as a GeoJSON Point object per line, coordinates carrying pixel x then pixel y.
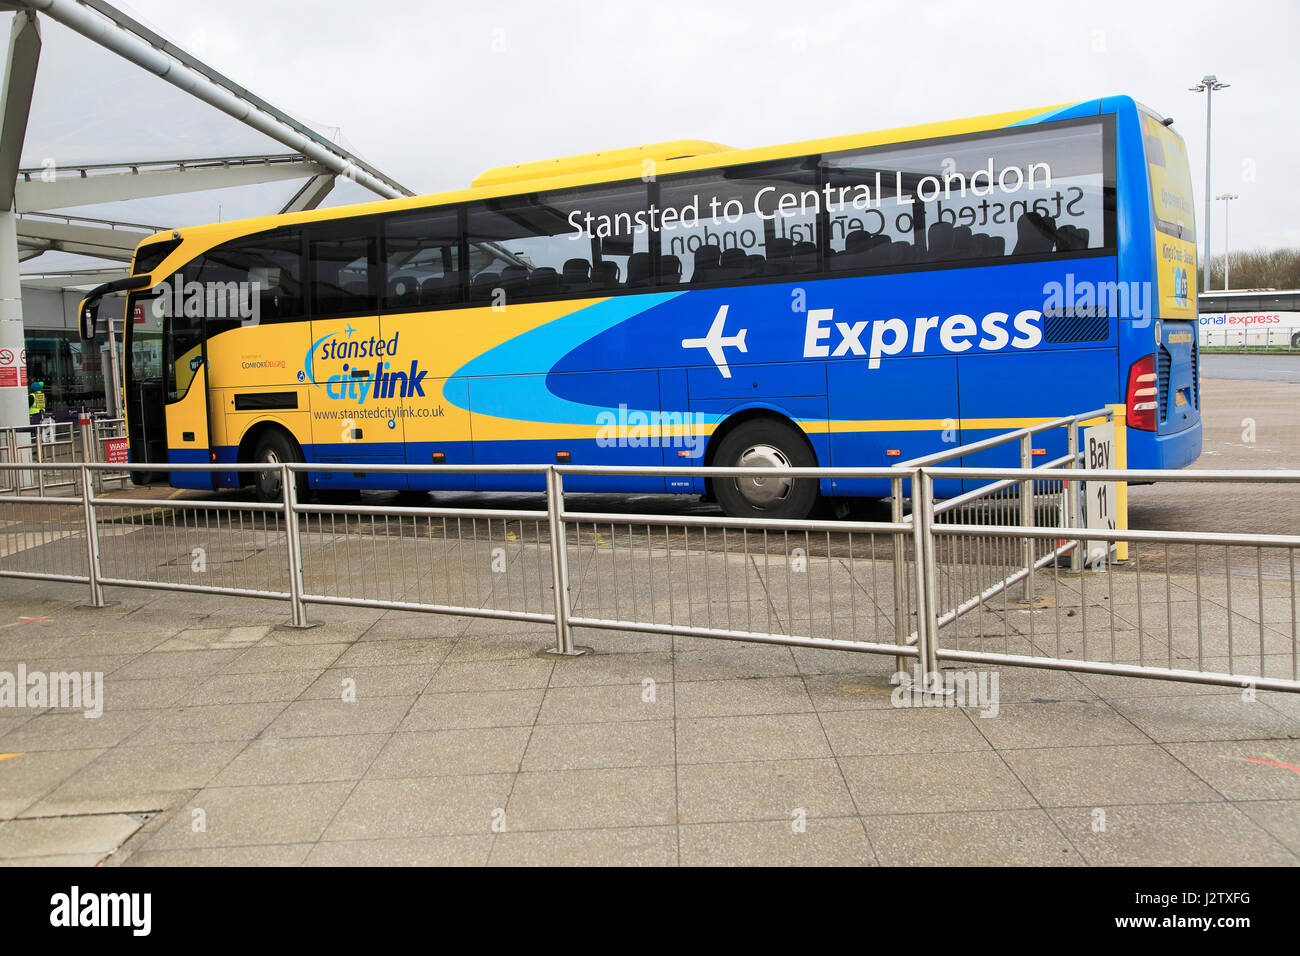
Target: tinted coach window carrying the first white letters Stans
{"type": "Point", "coordinates": [560, 244]}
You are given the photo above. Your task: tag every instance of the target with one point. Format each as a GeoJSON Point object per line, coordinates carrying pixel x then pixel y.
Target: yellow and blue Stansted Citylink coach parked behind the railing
{"type": "Point", "coordinates": [855, 301]}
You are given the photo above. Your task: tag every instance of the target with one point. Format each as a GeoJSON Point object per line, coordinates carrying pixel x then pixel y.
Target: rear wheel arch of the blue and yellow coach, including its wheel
{"type": "Point", "coordinates": [766, 438]}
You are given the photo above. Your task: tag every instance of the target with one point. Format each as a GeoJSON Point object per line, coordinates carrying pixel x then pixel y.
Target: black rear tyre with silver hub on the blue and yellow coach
{"type": "Point", "coordinates": [766, 444]}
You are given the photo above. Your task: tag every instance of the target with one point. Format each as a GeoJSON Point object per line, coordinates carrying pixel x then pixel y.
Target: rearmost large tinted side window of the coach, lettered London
{"type": "Point", "coordinates": [1030, 193]}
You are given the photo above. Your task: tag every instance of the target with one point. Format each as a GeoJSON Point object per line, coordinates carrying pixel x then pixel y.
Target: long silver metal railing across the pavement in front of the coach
{"type": "Point", "coordinates": [931, 586]}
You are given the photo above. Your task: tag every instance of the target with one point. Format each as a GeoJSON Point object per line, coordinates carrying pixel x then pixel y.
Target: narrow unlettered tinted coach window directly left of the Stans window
{"type": "Point", "coordinates": [423, 261]}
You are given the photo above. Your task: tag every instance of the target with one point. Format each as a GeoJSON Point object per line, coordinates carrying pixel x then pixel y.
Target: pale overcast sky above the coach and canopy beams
{"type": "Point", "coordinates": [434, 93]}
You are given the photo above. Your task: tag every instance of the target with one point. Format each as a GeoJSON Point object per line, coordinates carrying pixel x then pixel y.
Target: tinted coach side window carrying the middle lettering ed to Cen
{"type": "Point", "coordinates": [740, 223]}
